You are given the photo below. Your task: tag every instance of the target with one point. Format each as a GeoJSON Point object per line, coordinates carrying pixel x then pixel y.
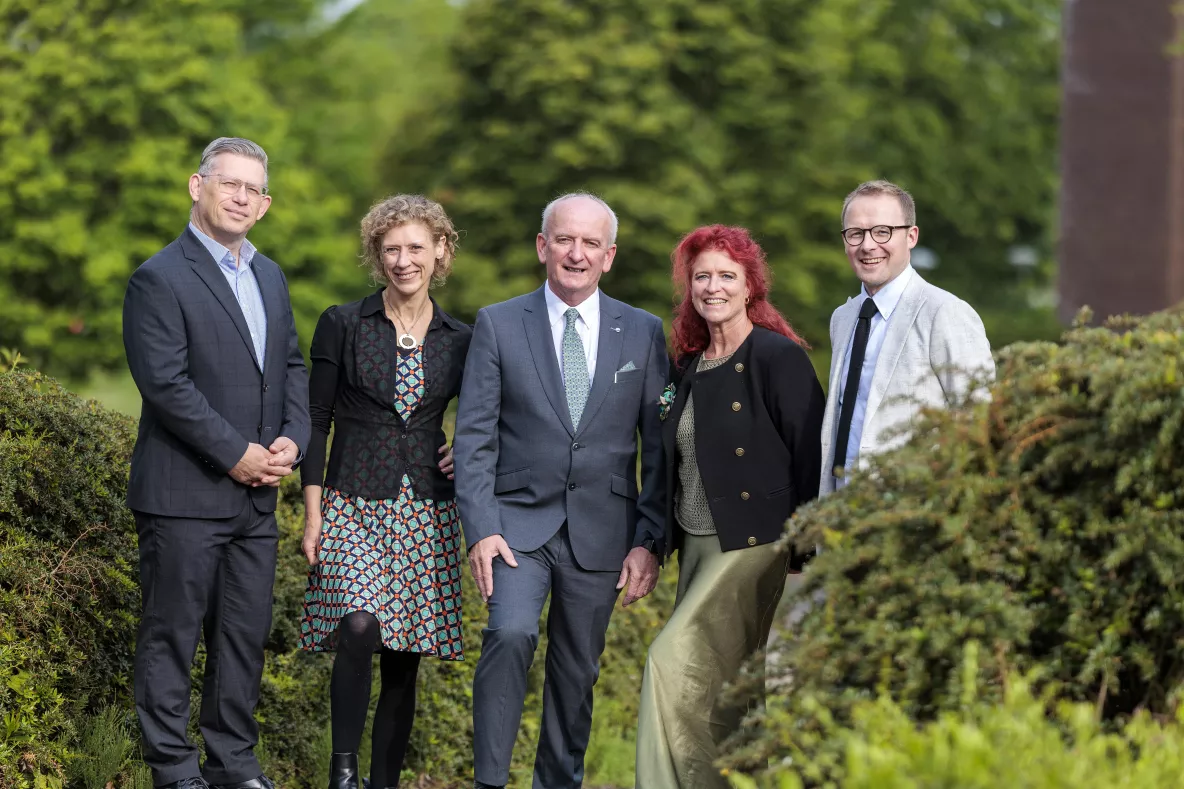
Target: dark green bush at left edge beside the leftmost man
{"type": "Point", "coordinates": [68, 563]}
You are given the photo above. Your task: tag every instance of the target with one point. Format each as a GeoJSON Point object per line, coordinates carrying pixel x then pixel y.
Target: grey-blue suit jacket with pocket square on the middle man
{"type": "Point", "coordinates": [523, 469]}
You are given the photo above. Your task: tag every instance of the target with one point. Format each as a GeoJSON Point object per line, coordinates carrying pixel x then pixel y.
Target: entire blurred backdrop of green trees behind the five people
{"type": "Point", "coordinates": [763, 113]}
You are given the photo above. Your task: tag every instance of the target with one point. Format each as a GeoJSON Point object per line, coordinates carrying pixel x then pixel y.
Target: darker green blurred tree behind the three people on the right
{"type": "Point", "coordinates": [762, 113]}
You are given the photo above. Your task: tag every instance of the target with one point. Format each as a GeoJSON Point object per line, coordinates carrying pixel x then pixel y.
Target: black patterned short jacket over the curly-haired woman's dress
{"type": "Point", "coordinates": [352, 384]}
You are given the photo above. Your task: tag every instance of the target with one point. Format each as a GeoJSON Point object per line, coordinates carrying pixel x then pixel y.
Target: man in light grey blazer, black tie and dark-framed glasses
{"type": "Point", "coordinates": [900, 345]}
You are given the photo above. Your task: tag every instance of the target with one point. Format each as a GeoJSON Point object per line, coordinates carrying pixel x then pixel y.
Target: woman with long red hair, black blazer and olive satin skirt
{"type": "Point", "coordinates": [743, 433]}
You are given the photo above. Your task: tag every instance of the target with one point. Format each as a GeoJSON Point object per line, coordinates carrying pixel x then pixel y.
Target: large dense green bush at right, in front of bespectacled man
{"type": "Point", "coordinates": [1046, 525]}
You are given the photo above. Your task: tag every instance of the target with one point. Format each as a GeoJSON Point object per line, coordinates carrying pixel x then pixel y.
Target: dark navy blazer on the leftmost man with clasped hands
{"type": "Point", "coordinates": [204, 397]}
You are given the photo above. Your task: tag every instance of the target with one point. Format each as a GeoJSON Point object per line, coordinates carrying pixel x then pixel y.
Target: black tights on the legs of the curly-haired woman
{"type": "Point", "coordinates": [358, 638]}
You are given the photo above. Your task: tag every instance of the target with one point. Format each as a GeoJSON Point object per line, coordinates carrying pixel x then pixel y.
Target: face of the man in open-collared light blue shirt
{"type": "Point", "coordinates": [221, 214]}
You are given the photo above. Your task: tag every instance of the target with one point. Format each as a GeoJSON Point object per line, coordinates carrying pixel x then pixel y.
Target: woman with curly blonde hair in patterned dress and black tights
{"type": "Point", "coordinates": [382, 534]}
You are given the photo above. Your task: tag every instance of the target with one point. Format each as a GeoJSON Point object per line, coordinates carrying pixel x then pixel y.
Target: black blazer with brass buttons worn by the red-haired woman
{"type": "Point", "coordinates": [758, 438]}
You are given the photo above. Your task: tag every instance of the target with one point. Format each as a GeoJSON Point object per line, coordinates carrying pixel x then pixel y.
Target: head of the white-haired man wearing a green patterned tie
{"type": "Point", "coordinates": [576, 249]}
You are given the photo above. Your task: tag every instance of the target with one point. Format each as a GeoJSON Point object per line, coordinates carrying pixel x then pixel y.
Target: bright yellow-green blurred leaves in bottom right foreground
{"type": "Point", "coordinates": [1020, 745]}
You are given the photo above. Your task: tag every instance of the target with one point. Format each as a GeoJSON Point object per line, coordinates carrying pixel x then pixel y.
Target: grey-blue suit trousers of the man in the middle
{"type": "Point", "coordinates": [581, 606]}
